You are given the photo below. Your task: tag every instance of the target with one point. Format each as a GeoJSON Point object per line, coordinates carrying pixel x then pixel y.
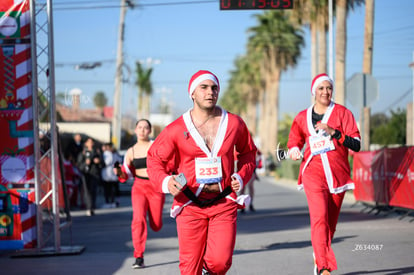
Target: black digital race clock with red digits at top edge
{"type": "Point", "coordinates": [255, 4]}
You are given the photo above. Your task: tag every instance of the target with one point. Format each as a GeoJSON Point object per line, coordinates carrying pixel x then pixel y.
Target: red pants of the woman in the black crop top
{"type": "Point", "coordinates": [144, 200]}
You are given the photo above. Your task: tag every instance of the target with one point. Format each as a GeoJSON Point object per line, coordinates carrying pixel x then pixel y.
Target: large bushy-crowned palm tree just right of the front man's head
{"type": "Point", "coordinates": [277, 41]}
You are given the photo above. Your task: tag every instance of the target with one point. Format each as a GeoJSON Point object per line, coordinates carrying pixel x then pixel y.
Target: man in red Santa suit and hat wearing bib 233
{"type": "Point", "coordinates": [202, 142]}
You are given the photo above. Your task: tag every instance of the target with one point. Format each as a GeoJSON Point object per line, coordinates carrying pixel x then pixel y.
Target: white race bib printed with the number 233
{"type": "Point", "coordinates": [208, 170]}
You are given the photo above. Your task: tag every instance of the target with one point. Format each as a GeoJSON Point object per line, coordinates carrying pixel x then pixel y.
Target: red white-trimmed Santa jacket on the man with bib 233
{"type": "Point", "coordinates": [181, 141]}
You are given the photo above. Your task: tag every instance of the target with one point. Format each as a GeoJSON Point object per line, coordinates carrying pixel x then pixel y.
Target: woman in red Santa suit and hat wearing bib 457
{"type": "Point", "coordinates": [329, 130]}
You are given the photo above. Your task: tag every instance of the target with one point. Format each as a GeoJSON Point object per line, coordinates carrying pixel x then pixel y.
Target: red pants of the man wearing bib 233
{"type": "Point", "coordinates": [206, 237]}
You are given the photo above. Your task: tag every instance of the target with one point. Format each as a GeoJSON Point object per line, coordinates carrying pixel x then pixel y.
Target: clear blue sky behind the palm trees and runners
{"type": "Point", "coordinates": [184, 36]}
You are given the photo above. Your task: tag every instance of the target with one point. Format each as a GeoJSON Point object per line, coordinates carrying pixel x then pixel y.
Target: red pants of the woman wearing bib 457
{"type": "Point", "coordinates": [324, 210]}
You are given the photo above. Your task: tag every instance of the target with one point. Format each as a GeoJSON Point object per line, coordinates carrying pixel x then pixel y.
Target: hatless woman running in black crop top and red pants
{"type": "Point", "coordinates": [146, 201]}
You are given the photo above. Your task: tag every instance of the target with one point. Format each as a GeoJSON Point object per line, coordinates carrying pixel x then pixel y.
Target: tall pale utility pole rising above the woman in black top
{"type": "Point", "coordinates": [117, 116]}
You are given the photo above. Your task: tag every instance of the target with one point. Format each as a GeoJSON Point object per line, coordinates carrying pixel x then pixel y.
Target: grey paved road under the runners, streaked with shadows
{"type": "Point", "coordinates": [273, 240]}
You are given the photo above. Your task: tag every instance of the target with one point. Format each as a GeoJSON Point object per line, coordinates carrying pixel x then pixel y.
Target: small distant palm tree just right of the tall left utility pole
{"type": "Point", "coordinates": [144, 90]}
